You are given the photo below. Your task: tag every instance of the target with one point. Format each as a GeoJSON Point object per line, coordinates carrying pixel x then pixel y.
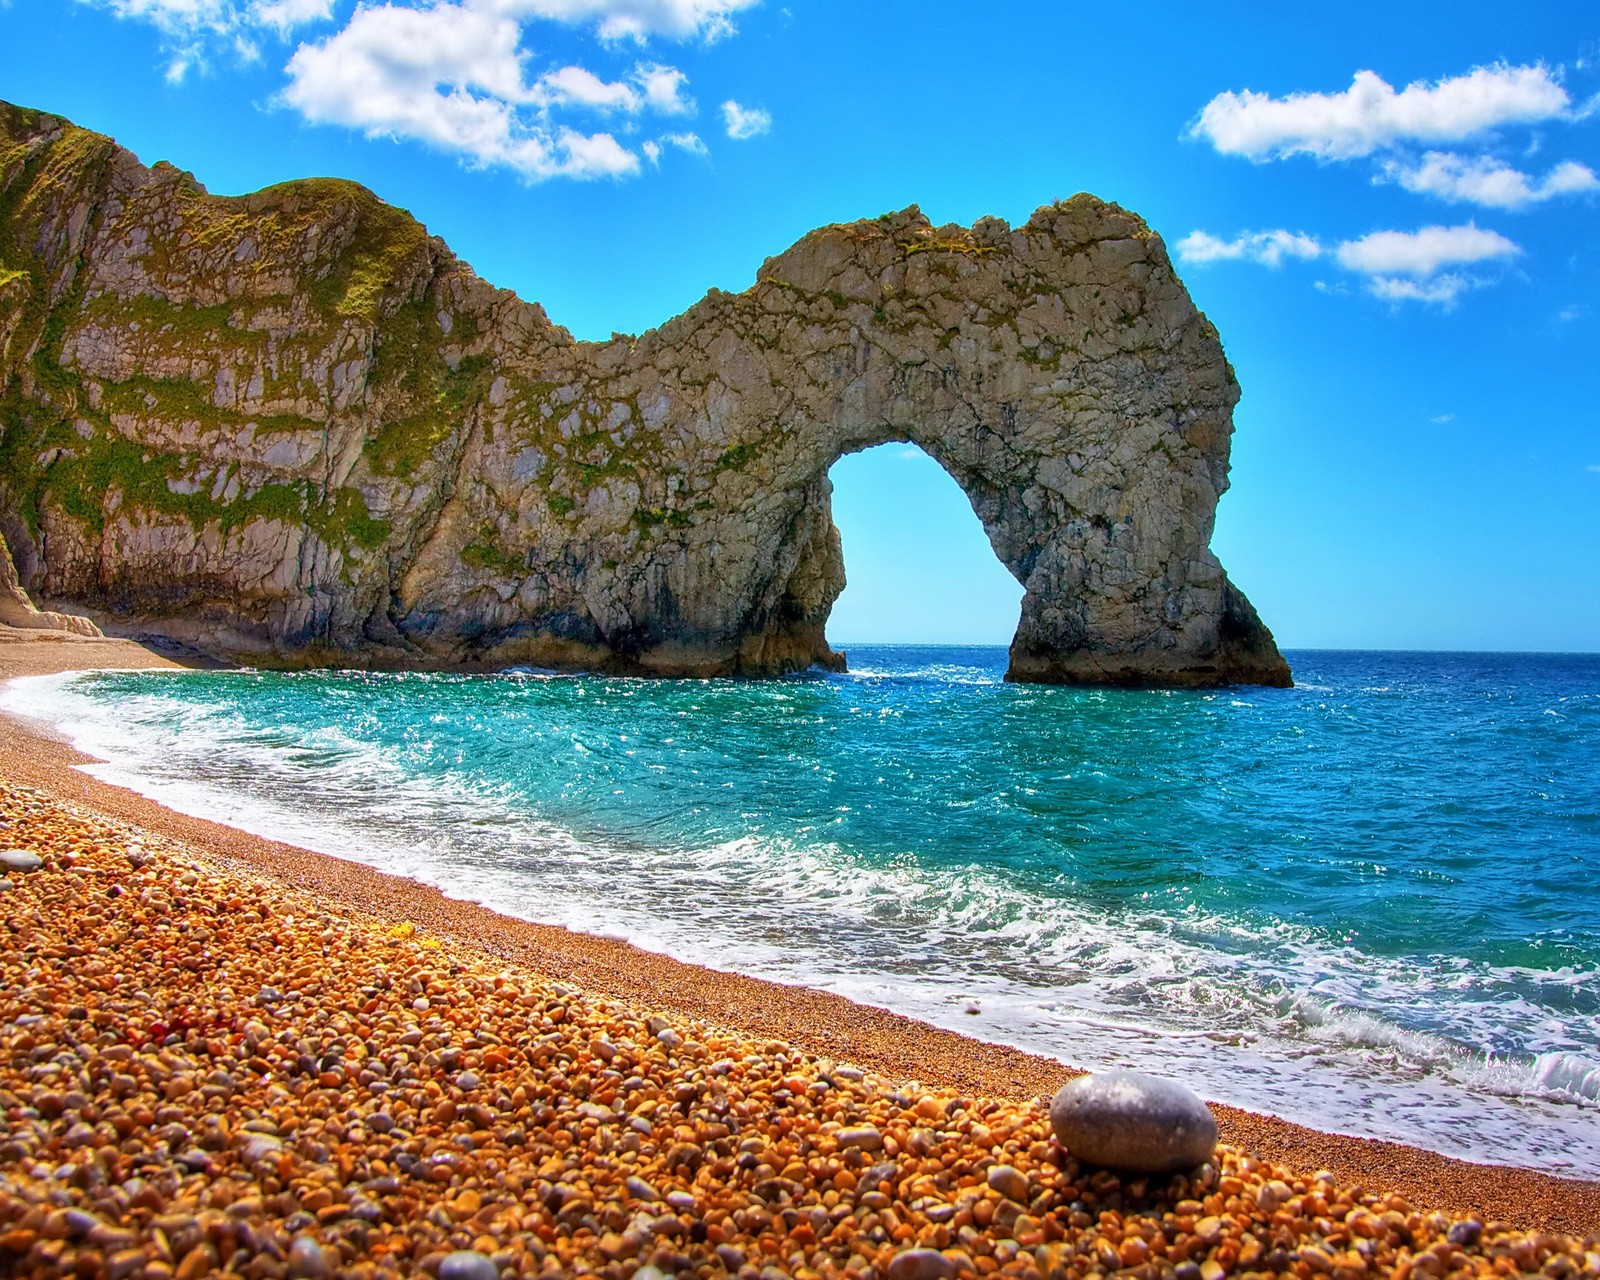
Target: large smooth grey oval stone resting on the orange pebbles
{"type": "Point", "coordinates": [1134, 1122]}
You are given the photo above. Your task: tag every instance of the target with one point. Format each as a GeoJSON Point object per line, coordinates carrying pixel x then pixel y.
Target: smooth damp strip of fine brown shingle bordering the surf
{"type": "Point", "coordinates": [892, 1046]}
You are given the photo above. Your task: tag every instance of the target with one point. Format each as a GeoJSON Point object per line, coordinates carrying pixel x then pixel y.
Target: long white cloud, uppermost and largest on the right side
{"type": "Point", "coordinates": [1372, 116]}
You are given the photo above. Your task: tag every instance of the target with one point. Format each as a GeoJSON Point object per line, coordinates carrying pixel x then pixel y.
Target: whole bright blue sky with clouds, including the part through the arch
{"type": "Point", "coordinates": [1390, 210]}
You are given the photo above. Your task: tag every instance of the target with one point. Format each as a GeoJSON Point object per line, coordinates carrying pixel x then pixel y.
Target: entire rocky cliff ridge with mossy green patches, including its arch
{"type": "Point", "coordinates": [292, 428]}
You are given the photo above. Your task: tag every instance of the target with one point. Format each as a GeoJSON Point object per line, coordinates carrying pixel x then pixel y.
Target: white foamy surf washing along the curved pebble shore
{"type": "Point", "coordinates": [1274, 1020]}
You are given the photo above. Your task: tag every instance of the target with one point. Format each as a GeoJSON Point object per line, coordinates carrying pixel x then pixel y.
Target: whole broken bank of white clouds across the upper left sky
{"type": "Point", "coordinates": [458, 74]}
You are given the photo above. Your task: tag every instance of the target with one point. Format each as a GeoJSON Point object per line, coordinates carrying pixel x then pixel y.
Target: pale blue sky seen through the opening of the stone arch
{"type": "Point", "coordinates": [918, 562]}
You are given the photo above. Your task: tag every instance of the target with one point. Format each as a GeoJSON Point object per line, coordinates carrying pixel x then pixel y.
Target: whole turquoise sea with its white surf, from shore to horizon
{"type": "Point", "coordinates": [1370, 903]}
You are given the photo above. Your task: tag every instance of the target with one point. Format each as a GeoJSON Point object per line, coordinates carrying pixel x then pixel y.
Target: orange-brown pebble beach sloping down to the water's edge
{"type": "Point", "coordinates": [225, 1057]}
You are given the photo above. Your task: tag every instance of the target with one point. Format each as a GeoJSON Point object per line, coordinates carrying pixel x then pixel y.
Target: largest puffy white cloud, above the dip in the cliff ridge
{"type": "Point", "coordinates": [450, 76]}
